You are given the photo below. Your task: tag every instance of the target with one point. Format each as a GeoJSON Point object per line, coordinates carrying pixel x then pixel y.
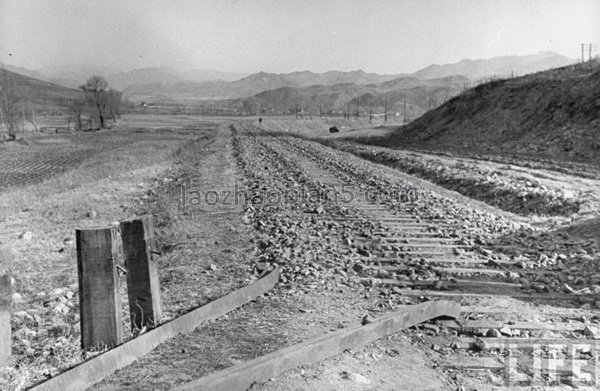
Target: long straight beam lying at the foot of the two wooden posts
{"type": "Point", "coordinates": [96, 369]}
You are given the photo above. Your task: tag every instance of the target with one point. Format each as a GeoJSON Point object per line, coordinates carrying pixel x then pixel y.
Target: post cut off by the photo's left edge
{"type": "Point", "coordinates": [5, 298]}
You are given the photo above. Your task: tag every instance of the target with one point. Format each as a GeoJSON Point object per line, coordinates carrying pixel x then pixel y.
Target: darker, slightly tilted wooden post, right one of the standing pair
{"type": "Point", "coordinates": [143, 286]}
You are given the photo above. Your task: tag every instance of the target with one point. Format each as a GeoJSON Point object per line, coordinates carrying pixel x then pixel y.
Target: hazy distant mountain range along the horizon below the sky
{"type": "Point", "coordinates": [331, 91]}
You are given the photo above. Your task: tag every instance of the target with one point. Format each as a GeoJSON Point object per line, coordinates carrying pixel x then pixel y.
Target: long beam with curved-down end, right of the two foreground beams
{"type": "Point", "coordinates": [240, 377]}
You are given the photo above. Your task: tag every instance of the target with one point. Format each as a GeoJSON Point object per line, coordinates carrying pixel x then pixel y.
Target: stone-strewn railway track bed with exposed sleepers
{"type": "Point", "coordinates": [352, 240]}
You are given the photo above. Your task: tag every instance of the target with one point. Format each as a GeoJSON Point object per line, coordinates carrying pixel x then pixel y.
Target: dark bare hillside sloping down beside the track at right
{"type": "Point", "coordinates": [553, 114]}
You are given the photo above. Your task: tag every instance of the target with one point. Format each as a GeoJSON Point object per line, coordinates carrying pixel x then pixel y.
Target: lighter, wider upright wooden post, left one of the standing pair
{"type": "Point", "coordinates": [99, 301]}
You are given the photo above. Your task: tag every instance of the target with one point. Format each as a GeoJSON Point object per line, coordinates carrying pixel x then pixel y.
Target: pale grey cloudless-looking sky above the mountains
{"type": "Point", "coordinates": [248, 36]}
